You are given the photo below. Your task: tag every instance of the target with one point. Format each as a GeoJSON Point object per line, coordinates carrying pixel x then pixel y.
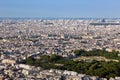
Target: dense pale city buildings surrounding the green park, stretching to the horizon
{"type": "Point", "coordinates": [23, 38]}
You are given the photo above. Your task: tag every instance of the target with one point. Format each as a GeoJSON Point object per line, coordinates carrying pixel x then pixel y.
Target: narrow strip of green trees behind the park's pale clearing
{"type": "Point", "coordinates": [103, 53]}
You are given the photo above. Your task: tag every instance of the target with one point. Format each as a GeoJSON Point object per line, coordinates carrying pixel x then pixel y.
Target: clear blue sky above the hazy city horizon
{"type": "Point", "coordinates": [60, 8]}
